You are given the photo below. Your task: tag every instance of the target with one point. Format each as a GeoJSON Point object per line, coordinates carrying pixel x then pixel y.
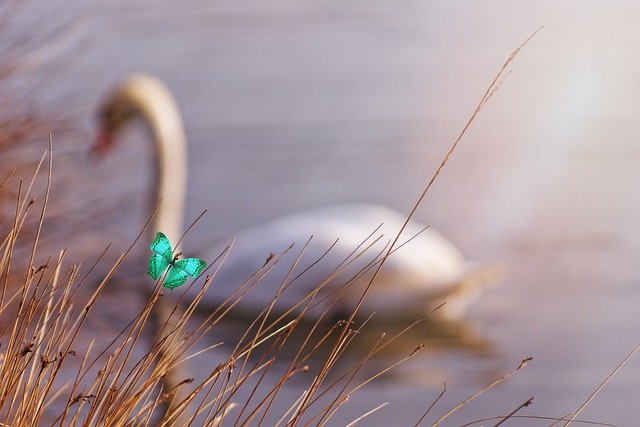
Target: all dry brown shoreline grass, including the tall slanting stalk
{"type": "Point", "coordinates": [52, 373]}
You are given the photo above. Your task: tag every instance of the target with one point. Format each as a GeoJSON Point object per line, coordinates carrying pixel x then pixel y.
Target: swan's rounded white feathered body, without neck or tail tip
{"type": "Point", "coordinates": [426, 266]}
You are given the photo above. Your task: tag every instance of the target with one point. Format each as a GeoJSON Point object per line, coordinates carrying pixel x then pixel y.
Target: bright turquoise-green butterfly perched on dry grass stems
{"type": "Point", "coordinates": [179, 270]}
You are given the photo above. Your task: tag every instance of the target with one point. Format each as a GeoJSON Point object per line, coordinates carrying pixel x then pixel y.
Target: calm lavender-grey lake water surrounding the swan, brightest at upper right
{"type": "Point", "coordinates": [291, 105]}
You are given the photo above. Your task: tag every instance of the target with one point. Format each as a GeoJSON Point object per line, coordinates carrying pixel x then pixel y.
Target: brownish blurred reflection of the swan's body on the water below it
{"type": "Point", "coordinates": [393, 337]}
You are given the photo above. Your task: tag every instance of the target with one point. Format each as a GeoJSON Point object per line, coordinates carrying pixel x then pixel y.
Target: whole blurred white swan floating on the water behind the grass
{"type": "Point", "coordinates": [423, 273]}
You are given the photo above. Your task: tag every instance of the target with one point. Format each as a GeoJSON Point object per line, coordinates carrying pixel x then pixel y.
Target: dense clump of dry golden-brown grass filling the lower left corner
{"type": "Point", "coordinates": [46, 368]}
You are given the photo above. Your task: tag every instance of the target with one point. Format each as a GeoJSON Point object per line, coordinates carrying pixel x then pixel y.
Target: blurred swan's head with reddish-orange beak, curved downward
{"type": "Point", "coordinates": [140, 96]}
